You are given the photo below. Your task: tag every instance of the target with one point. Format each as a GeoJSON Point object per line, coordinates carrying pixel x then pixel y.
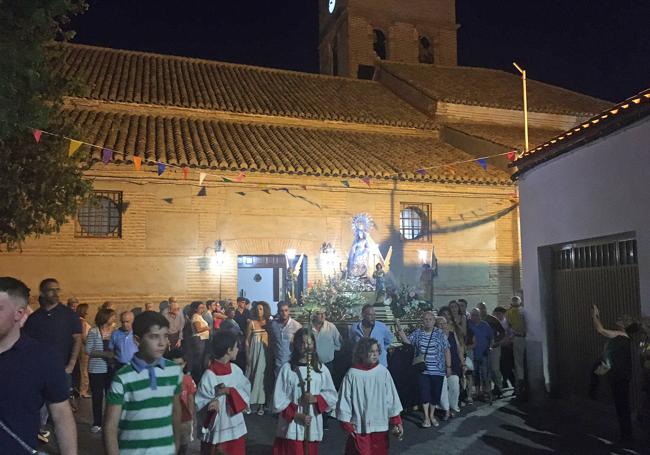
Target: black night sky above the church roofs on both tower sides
{"type": "Point", "coordinates": [598, 47]}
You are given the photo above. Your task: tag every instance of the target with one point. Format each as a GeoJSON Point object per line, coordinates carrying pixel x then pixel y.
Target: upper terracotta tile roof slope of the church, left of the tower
{"type": "Point", "coordinates": [144, 78]}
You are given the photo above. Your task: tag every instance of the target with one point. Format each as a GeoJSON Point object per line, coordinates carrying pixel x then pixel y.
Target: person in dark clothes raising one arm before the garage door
{"type": "Point", "coordinates": [618, 358]}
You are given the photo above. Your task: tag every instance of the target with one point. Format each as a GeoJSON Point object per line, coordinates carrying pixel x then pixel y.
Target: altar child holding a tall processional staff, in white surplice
{"type": "Point", "coordinates": [298, 407]}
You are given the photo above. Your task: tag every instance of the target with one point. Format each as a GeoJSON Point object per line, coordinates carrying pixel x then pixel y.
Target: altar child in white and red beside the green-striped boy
{"type": "Point", "coordinates": [223, 394]}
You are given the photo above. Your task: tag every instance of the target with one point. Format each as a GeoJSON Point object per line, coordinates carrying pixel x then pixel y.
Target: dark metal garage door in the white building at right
{"type": "Point", "coordinates": [601, 272]}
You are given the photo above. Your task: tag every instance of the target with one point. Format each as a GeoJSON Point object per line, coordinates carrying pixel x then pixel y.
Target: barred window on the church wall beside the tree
{"type": "Point", "coordinates": [101, 215]}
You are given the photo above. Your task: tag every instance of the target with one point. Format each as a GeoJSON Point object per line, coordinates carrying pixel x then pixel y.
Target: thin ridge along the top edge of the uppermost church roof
{"type": "Point", "coordinates": [212, 62]}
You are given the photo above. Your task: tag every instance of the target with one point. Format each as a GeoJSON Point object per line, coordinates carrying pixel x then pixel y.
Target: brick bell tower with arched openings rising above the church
{"type": "Point", "coordinates": [354, 33]}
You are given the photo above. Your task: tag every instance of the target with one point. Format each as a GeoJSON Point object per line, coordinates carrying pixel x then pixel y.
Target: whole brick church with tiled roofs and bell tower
{"type": "Point", "coordinates": [208, 175]}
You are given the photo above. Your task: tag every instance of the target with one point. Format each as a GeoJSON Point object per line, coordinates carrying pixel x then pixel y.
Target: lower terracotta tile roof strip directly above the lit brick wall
{"type": "Point", "coordinates": [257, 147]}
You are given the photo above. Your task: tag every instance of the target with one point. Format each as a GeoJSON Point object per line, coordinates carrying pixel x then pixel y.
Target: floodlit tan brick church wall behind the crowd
{"type": "Point", "coordinates": [162, 245]}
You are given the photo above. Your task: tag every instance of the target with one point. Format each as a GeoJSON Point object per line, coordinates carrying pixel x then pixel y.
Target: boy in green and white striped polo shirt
{"type": "Point", "coordinates": [143, 415]}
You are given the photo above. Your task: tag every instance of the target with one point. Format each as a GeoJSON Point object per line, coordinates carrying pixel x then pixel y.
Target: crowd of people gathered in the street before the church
{"type": "Point", "coordinates": [159, 377]}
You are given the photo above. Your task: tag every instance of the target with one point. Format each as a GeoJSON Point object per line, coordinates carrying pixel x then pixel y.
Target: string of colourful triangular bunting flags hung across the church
{"type": "Point", "coordinates": [108, 155]}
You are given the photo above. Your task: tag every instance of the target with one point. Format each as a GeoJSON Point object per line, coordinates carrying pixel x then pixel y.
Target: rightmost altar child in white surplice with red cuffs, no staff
{"type": "Point", "coordinates": [368, 403]}
